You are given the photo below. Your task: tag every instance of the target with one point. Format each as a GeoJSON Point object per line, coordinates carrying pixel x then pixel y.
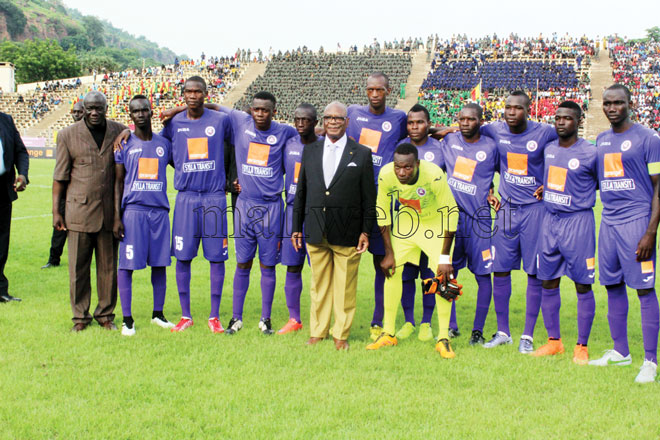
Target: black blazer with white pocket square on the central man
{"type": "Point", "coordinates": [345, 209]}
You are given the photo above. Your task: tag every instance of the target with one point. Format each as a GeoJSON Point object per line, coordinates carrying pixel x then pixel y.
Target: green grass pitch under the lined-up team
{"type": "Point", "coordinates": [96, 384]}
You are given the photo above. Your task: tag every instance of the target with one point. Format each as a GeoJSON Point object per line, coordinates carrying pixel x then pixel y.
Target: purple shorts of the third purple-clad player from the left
{"type": "Point", "coordinates": [258, 223]}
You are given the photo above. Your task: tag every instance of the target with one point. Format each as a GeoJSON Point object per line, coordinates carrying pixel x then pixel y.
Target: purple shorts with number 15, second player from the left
{"type": "Point", "coordinates": [200, 216]}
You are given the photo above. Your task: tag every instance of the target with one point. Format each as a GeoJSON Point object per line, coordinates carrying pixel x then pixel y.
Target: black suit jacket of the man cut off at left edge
{"type": "Point", "coordinates": [15, 156]}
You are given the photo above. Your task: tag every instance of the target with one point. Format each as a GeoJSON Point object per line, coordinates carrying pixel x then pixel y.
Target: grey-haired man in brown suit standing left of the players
{"type": "Point", "coordinates": [84, 174]}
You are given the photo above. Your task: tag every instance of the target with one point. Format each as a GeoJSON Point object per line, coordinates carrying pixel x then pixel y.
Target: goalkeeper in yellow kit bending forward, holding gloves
{"type": "Point", "coordinates": [416, 212]}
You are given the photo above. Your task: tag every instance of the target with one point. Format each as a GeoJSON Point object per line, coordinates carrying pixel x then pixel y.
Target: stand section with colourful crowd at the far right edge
{"type": "Point", "coordinates": [637, 66]}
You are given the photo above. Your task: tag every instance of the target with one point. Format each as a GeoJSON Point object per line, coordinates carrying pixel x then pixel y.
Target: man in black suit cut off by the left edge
{"type": "Point", "coordinates": [14, 158]}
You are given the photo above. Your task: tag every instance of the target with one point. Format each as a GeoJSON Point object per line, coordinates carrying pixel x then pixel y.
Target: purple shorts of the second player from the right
{"type": "Point", "coordinates": [568, 247]}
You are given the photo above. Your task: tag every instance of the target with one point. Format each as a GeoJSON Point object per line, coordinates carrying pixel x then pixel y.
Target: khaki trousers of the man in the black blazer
{"type": "Point", "coordinates": [334, 279]}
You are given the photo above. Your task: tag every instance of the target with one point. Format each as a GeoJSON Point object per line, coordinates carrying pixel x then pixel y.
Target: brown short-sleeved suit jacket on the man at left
{"type": "Point", "coordinates": [90, 176]}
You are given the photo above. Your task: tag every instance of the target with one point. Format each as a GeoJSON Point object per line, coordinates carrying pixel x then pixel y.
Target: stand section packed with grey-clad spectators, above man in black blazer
{"type": "Point", "coordinates": [296, 77]}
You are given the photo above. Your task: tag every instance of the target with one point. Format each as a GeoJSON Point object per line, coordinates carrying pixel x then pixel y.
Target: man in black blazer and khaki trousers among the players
{"type": "Point", "coordinates": [335, 201]}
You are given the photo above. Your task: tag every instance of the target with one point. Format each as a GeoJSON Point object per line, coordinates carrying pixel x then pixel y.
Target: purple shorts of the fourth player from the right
{"type": "Point", "coordinates": [472, 246]}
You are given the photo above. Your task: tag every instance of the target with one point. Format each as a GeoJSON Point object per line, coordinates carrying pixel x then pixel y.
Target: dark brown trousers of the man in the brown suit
{"type": "Point", "coordinates": [81, 247]}
